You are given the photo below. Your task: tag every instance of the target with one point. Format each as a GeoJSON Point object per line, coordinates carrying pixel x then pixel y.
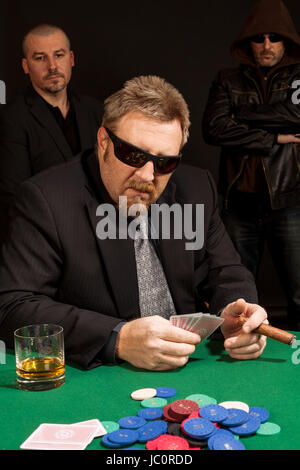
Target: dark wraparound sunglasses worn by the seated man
{"type": "Point", "coordinates": [136, 157]}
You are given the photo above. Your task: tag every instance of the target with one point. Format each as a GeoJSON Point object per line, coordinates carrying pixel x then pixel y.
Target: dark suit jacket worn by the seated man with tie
{"type": "Point", "coordinates": [55, 269]}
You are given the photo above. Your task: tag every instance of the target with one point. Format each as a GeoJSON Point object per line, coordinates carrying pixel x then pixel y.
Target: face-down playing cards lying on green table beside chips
{"type": "Point", "coordinates": [64, 436]}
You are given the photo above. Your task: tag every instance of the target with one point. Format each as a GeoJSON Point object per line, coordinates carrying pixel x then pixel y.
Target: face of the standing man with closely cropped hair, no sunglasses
{"type": "Point", "coordinates": [48, 62]}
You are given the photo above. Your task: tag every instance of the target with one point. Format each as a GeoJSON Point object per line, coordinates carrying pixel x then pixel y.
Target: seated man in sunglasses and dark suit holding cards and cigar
{"type": "Point", "coordinates": [70, 264]}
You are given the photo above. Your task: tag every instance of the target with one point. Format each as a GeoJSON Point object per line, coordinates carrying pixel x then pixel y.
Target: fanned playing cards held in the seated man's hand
{"type": "Point", "coordinates": [203, 324]}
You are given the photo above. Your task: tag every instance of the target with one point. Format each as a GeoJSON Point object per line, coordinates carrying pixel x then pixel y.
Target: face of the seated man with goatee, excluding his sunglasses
{"type": "Point", "coordinates": [139, 185]}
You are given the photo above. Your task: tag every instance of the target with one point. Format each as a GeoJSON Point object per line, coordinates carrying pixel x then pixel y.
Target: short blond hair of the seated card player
{"type": "Point", "coordinates": [151, 96]}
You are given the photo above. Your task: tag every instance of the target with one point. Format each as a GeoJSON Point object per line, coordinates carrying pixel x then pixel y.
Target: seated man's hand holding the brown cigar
{"type": "Point", "coordinates": [240, 340]}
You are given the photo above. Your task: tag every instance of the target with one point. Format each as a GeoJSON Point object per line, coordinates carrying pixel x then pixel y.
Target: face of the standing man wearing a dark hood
{"type": "Point", "coordinates": [268, 54]}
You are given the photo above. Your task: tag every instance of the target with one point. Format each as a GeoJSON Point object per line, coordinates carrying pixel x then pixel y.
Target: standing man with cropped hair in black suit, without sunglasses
{"type": "Point", "coordinates": [49, 123]}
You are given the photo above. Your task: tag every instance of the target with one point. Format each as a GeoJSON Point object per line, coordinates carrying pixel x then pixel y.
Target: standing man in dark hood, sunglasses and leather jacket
{"type": "Point", "coordinates": [251, 115]}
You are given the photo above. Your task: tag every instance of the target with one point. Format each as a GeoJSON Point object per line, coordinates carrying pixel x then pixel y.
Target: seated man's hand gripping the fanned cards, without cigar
{"type": "Point", "coordinates": [153, 343]}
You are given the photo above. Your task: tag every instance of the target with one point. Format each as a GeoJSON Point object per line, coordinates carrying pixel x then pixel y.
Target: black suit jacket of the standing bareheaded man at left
{"type": "Point", "coordinates": [31, 141]}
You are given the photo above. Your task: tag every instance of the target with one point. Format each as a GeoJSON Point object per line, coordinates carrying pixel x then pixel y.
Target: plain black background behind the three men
{"type": "Point", "coordinates": [185, 42]}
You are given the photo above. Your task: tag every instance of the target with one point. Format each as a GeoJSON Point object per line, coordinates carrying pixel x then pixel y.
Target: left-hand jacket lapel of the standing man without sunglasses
{"type": "Point", "coordinates": [41, 112]}
